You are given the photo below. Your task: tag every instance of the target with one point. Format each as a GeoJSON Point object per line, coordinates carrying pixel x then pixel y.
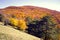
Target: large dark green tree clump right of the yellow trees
{"type": "Point", "coordinates": [44, 28]}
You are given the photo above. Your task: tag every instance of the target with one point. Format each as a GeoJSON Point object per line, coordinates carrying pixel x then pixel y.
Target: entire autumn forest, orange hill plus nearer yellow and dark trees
{"type": "Point", "coordinates": [40, 22]}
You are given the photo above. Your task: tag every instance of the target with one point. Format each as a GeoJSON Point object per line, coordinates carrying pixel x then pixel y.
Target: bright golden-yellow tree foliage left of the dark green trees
{"type": "Point", "coordinates": [21, 24]}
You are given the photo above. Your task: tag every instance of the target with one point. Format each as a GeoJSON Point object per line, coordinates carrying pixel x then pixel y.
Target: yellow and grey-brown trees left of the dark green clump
{"type": "Point", "coordinates": [14, 22]}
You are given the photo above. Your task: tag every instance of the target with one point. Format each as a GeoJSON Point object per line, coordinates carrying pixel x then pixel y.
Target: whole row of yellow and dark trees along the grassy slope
{"type": "Point", "coordinates": [44, 28]}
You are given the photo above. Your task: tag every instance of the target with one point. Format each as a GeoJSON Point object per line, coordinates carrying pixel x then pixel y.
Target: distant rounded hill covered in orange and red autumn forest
{"type": "Point", "coordinates": [29, 11]}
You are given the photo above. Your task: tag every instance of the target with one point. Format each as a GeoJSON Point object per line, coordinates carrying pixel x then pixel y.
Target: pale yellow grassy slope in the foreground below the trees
{"type": "Point", "coordinates": [8, 33]}
